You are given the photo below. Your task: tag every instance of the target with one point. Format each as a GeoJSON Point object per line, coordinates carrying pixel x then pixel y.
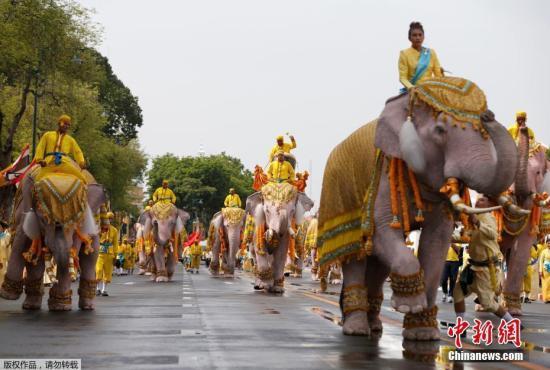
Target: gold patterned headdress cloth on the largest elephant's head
{"type": "Point", "coordinates": [461, 101]}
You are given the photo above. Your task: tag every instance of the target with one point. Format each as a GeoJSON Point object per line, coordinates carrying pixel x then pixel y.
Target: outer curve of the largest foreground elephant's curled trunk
{"type": "Point", "coordinates": [507, 159]}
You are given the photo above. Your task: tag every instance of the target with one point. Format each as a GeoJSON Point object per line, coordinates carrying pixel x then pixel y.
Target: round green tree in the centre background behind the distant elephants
{"type": "Point", "coordinates": [201, 183]}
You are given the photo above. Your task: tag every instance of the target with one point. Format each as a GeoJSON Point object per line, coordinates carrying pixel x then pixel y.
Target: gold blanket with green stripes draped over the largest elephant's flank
{"type": "Point", "coordinates": [346, 180]}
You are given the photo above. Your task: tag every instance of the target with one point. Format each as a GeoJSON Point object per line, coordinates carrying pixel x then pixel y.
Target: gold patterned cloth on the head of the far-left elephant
{"type": "Point", "coordinates": [61, 198]}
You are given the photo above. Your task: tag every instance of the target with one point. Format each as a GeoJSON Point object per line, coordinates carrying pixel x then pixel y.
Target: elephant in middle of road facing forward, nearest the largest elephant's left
{"type": "Point", "coordinates": [274, 208]}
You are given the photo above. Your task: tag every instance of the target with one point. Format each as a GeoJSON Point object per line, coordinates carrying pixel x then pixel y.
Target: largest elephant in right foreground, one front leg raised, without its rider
{"type": "Point", "coordinates": [420, 138]}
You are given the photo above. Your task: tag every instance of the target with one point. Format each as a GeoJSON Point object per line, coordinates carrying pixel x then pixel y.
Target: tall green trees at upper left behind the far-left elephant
{"type": "Point", "coordinates": [48, 51]}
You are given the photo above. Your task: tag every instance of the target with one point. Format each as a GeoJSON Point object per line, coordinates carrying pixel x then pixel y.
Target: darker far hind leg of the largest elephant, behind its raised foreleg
{"type": "Point", "coordinates": [377, 273]}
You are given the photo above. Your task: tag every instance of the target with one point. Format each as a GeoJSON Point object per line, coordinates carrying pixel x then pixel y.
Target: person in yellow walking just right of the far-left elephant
{"type": "Point", "coordinates": [108, 247]}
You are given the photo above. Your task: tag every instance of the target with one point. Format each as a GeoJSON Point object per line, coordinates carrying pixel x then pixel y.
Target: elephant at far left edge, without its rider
{"type": "Point", "coordinates": [36, 226]}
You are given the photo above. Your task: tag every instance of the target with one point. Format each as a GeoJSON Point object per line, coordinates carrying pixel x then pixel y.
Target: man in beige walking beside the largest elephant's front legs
{"type": "Point", "coordinates": [481, 274]}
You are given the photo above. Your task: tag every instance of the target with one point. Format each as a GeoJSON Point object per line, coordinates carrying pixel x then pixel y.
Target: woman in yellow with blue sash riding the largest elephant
{"type": "Point", "coordinates": [417, 63]}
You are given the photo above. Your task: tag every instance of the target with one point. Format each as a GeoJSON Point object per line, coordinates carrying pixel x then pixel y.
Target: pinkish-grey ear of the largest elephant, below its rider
{"type": "Point", "coordinates": [389, 126]}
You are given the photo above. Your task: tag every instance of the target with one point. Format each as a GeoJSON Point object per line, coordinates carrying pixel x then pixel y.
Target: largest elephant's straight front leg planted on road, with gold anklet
{"type": "Point", "coordinates": [434, 244]}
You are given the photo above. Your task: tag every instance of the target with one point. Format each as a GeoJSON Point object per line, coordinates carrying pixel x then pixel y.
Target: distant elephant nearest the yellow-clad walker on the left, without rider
{"type": "Point", "coordinates": [164, 222]}
